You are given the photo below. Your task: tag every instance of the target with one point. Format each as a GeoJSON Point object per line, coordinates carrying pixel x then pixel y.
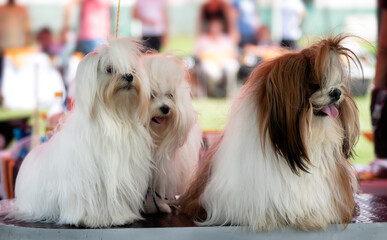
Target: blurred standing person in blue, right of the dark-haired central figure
{"type": "Point", "coordinates": [248, 21]}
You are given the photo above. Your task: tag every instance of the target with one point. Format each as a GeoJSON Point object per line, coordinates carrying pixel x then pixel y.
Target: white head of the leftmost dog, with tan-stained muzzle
{"type": "Point", "coordinates": [110, 81]}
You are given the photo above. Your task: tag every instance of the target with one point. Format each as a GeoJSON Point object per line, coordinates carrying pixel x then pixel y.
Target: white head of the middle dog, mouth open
{"type": "Point", "coordinates": [171, 112]}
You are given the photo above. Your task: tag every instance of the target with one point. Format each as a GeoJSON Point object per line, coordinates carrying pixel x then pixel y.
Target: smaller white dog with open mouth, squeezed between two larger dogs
{"type": "Point", "coordinates": [174, 129]}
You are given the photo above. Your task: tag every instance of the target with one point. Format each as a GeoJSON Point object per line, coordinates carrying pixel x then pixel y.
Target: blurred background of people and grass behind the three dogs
{"type": "Point", "coordinates": [43, 41]}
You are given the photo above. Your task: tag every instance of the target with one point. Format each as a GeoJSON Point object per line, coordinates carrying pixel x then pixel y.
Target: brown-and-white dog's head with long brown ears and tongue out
{"type": "Point", "coordinates": [298, 88]}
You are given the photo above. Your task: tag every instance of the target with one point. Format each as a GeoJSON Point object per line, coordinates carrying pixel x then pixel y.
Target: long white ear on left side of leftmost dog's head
{"type": "Point", "coordinates": [86, 83]}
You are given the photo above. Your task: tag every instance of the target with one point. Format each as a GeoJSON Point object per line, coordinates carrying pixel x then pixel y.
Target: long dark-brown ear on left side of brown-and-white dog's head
{"type": "Point", "coordinates": [284, 107]}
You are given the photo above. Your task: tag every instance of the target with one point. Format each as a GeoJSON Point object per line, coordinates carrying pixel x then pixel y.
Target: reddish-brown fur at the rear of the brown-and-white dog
{"type": "Point", "coordinates": [189, 201]}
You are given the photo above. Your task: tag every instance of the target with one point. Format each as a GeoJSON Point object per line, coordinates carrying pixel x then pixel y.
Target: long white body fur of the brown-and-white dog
{"type": "Point", "coordinates": [250, 186]}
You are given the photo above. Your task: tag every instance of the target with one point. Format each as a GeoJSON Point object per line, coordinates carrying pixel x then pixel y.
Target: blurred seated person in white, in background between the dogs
{"type": "Point", "coordinates": [218, 60]}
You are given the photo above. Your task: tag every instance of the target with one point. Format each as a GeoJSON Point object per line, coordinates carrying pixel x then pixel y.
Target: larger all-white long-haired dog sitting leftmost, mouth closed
{"type": "Point", "coordinates": [96, 169]}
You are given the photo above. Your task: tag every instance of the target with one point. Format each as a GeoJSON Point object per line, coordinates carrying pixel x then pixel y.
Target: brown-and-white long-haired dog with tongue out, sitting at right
{"type": "Point", "coordinates": [283, 157]}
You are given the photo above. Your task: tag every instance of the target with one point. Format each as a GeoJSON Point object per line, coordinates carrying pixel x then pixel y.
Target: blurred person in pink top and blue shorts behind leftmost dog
{"type": "Point", "coordinates": [94, 25]}
